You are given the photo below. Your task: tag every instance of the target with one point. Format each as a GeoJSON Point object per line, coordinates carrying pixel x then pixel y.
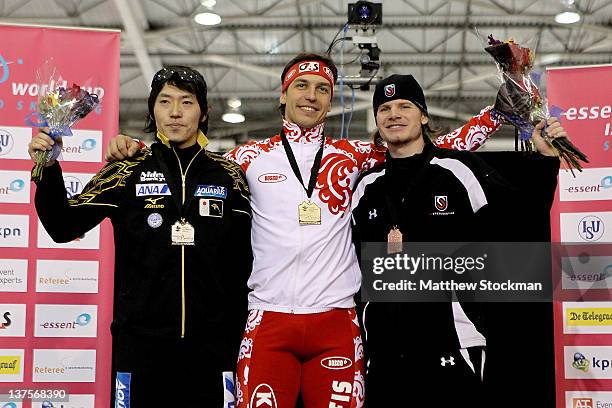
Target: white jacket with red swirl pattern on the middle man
{"type": "Point", "coordinates": [313, 268]}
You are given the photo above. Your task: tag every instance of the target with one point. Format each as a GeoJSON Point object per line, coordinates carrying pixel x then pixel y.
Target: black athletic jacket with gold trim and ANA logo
{"type": "Point", "coordinates": [163, 289]}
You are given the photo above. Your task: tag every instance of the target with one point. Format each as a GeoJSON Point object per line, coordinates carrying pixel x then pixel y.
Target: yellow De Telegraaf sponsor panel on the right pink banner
{"type": "Point", "coordinates": [587, 317]}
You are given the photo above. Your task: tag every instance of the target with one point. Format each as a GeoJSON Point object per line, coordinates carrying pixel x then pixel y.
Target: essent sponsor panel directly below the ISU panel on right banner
{"type": "Point", "coordinates": [586, 272]}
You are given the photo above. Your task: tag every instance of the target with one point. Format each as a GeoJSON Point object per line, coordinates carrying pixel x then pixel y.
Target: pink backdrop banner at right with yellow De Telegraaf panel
{"type": "Point", "coordinates": [582, 219]}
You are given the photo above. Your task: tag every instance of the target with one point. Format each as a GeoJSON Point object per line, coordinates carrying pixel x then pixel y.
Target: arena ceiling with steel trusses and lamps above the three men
{"type": "Point", "coordinates": [243, 56]}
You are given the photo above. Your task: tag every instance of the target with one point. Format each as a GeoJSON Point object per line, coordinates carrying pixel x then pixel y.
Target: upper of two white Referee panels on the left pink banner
{"type": "Point", "coordinates": [61, 276]}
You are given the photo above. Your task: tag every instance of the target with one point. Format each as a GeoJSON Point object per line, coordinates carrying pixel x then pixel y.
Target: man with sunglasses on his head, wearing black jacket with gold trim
{"type": "Point", "coordinates": [182, 223]}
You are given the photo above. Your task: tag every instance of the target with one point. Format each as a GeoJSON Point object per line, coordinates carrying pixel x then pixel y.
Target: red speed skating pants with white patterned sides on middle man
{"type": "Point", "coordinates": [319, 354]}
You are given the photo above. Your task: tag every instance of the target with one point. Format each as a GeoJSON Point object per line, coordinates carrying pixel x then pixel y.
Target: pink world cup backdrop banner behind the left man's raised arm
{"type": "Point", "coordinates": [55, 299]}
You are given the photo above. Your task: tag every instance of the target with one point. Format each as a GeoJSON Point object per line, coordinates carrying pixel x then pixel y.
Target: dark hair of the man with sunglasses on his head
{"type": "Point", "coordinates": [184, 78]}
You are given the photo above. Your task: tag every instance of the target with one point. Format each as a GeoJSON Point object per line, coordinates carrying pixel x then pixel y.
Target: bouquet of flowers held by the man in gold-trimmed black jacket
{"type": "Point", "coordinates": [59, 107]}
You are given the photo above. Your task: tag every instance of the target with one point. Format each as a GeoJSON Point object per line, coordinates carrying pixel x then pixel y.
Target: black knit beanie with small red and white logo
{"type": "Point", "coordinates": [399, 87]}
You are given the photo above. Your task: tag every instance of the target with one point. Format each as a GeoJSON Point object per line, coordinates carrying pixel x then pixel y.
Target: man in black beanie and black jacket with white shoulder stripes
{"type": "Point", "coordinates": [425, 354]}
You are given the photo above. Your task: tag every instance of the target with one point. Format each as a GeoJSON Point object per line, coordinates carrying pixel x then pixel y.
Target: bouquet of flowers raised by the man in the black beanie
{"type": "Point", "coordinates": [519, 100]}
